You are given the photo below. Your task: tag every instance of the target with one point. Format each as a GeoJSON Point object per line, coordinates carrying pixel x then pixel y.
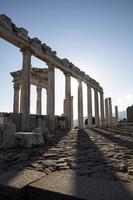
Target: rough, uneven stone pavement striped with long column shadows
{"type": "Point", "coordinates": [104, 154]}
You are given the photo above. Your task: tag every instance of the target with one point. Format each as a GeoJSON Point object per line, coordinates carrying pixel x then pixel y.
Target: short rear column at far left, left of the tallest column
{"type": "Point", "coordinates": [16, 98]}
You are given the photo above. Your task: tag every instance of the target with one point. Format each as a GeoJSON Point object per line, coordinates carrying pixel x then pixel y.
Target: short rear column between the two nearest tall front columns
{"type": "Point", "coordinates": [39, 102]}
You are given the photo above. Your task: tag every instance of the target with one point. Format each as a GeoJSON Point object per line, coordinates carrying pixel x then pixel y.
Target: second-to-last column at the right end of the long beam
{"type": "Point", "coordinates": [96, 107]}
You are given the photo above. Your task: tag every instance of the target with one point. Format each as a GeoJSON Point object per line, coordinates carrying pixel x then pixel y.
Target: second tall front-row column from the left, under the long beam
{"type": "Point", "coordinates": [51, 90]}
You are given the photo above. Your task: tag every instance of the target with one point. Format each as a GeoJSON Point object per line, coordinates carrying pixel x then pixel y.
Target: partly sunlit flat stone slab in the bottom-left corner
{"type": "Point", "coordinates": [13, 183]}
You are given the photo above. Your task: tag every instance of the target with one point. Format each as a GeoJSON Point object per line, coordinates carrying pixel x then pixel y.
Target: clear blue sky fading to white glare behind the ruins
{"type": "Point", "coordinates": [95, 35]}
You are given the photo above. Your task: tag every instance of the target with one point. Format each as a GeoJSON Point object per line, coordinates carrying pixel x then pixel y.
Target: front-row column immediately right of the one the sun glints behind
{"type": "Point", "coordinates": [89, 105]}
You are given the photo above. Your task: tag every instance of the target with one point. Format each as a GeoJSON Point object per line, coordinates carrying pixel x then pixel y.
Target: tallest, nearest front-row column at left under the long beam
{"type": "Point", "coordinates": [25, 82]}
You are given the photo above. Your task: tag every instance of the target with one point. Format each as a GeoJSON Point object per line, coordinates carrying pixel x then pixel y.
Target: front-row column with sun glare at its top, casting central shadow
{"type": "Point", "coordinates": [80, 105]}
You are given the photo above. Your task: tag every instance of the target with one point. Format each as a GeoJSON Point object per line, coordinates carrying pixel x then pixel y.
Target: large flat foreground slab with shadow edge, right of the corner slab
{"type": "Point", "coordinates": [67, 185]}
